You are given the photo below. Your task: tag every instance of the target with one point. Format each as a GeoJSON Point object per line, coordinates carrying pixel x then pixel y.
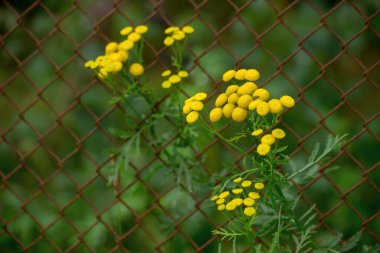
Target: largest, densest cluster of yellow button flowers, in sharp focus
{"type": "Point", "coordinates": [237, 100]}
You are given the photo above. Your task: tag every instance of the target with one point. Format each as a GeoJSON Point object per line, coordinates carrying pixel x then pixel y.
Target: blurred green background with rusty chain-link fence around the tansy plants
{"type": "Point", "coordinates": [55, 117]}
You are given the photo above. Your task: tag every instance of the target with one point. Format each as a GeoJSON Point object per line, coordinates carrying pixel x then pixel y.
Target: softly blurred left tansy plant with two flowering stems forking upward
{"type": "Point", "coordinates": [121, 69]}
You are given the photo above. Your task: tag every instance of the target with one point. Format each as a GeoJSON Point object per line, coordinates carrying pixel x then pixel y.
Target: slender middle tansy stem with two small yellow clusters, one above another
{"type": "Point", "coordinates": [177, 154]}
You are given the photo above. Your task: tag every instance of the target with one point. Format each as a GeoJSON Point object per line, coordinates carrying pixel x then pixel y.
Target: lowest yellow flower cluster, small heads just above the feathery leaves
{"type": "Point", "coordinates": [239, 197]}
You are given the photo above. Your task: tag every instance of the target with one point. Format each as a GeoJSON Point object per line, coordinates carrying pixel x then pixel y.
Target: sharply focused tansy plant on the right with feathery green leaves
{"type": "Point", "coordinates": [258, 202]}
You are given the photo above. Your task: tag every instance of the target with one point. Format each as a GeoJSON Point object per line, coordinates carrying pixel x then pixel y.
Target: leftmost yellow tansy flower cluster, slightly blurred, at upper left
{"type": "Point", "coordinates": [116, 54]}
